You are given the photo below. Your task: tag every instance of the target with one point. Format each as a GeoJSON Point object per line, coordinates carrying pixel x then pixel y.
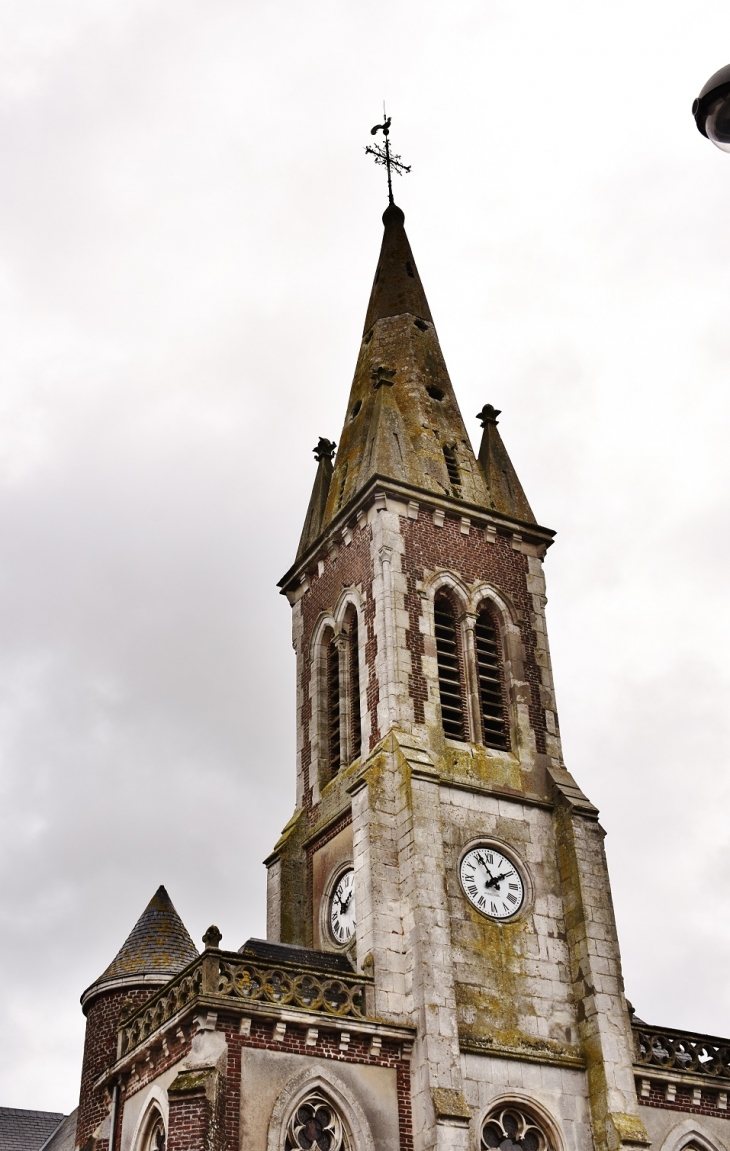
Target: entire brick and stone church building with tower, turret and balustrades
{"type": "Point", "coordinates": [442, 970]}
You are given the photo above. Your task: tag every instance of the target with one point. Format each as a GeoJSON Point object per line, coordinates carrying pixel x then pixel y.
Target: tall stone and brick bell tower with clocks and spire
{"type": "Point", "coordinates": [439, 841]}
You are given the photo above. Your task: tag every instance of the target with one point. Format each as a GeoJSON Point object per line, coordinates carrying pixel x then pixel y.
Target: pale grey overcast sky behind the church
{"type": "Point", "coordinates": [188, 234]}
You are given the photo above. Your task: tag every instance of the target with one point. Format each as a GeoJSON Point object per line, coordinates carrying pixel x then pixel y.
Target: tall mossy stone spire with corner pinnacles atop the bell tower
{"type": "Point", "coordinates": [404, 423]}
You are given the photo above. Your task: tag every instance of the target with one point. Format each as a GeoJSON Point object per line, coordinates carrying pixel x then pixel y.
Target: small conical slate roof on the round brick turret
{"type": "Point", "coordinates": [157, 948]}
